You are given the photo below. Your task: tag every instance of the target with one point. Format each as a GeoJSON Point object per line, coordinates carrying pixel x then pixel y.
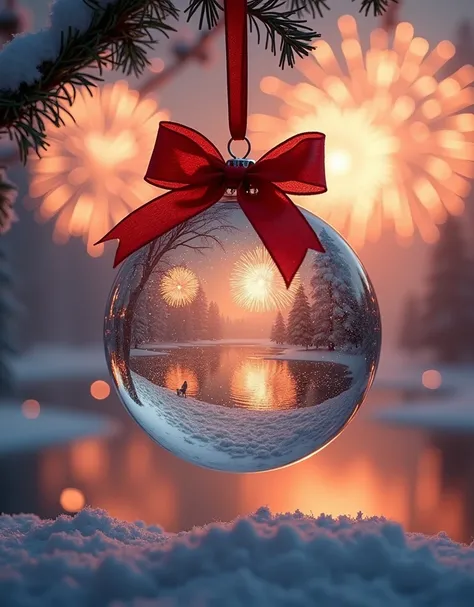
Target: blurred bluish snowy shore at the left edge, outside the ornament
{"type": "Point", "coordinates": [53, 426]}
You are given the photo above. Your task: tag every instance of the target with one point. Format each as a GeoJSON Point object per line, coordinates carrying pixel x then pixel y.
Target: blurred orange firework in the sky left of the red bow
{"type": "Point", "coordinates": [91, 175]}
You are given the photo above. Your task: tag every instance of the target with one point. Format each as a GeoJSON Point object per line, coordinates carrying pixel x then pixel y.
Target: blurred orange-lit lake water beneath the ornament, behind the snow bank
{"type": "Point", "coordinates": [421, 481]}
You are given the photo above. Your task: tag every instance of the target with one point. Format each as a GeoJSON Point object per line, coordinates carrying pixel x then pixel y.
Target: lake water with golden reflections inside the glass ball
{"type": "Point", "coordinates": [242, 377]}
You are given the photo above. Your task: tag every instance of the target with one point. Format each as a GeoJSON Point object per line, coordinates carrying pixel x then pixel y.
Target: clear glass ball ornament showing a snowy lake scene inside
{"type": "Point", "coordinates": [224, 366]}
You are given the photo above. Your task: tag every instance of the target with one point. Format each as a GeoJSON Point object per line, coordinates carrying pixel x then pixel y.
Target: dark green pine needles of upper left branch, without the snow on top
{"type": "Point", "coordinates": [119, 35]}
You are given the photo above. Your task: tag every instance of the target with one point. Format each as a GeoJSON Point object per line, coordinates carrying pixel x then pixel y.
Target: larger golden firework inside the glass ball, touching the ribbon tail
{"type": "Point", "coordinates": [257, 285]}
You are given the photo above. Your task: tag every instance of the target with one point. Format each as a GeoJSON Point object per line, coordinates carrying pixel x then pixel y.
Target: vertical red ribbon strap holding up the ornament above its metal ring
{"type": "Point", "coordinates": [235, 15]}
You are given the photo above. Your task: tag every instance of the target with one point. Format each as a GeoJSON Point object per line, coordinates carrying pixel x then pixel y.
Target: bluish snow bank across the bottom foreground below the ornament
{"type": "Point", "coordinates": [287, 560]}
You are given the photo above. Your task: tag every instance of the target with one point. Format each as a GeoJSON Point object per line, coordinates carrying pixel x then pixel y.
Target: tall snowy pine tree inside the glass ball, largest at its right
{"type": "Point", "coordinates": [334, 306]}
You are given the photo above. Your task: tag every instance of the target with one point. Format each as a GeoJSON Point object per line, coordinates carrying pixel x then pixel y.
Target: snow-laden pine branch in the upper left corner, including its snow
{"type": "Point", "coordinates": [39, 72]}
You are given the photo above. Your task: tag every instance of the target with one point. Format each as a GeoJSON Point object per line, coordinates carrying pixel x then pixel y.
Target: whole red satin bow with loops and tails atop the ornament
{"type": "Point", "coordinates": [188, 164]}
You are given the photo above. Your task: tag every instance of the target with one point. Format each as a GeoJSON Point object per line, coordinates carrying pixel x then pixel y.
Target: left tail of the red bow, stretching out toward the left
{"type": "Point", "coordinates": [159, 216]}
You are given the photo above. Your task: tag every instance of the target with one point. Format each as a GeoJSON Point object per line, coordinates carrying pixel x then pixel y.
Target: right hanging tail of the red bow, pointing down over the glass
{"type": "Point", "coordinates": [282, 228]}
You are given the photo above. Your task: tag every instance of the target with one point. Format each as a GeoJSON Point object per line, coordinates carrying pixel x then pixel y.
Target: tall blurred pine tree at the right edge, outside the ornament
{"type": "Point", "coordinates": [447, 326]}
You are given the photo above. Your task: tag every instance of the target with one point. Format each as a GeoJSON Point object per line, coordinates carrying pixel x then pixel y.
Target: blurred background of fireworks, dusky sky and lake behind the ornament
{"type": "Point", "coordinates": [400, 167]}
